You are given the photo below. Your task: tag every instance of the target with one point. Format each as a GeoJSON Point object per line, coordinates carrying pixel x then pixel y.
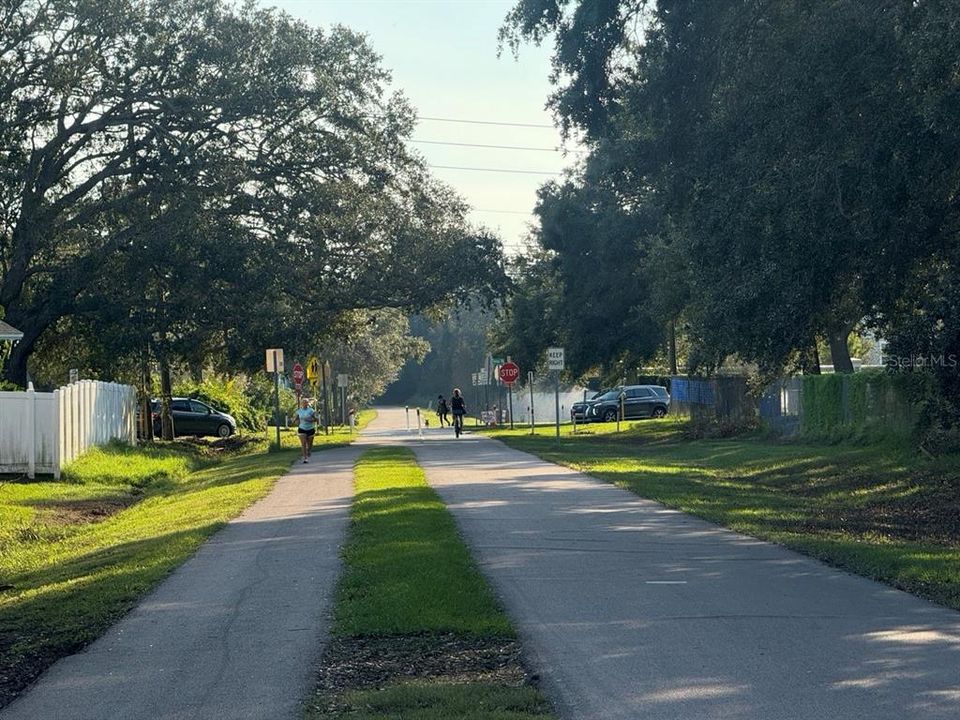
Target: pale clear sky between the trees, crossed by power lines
{"type": "Point", "coordinates": [443, 56]}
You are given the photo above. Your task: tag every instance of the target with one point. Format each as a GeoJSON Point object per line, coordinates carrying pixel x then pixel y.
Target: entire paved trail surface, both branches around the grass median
{"type": "Point", "coordinates": [628, 610]}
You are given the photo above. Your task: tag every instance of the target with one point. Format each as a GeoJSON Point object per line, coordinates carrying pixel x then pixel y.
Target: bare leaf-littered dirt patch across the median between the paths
{"type": "Point", "coordinates": [374, 662]}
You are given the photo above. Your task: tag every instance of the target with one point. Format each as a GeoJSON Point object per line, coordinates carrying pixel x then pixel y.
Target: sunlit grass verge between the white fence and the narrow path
{"type": "Point", "coordinates": [76, 555]}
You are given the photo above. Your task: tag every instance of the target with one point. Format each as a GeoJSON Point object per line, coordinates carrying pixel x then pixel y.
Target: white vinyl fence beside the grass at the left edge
{"type": "Point", "coordinates": [42, 432]}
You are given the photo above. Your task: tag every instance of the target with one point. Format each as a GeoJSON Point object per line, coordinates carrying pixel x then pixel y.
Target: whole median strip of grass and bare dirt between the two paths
{"type": "Point", "coordinates": [417, 632]}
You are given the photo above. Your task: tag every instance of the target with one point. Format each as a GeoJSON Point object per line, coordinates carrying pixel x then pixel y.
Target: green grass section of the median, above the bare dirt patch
{"type": "Point", "coordinates": [406, 569]}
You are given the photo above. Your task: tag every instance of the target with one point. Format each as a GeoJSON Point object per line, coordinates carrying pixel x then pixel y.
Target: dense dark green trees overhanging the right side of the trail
{"type": "Point", "coordinates": [763, 176]}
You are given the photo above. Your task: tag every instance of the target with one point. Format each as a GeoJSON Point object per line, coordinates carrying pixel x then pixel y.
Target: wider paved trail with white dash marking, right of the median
{"type": "Point", "coordinates": [631, 610]}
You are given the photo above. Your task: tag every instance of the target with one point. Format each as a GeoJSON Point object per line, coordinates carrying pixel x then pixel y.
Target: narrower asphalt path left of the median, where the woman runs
{"type": "Point", "coordinates": [235, 633]}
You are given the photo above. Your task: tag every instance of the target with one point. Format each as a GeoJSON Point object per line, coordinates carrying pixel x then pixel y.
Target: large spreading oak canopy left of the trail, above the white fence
{"type": "Point", "coordinates": [186, 182]}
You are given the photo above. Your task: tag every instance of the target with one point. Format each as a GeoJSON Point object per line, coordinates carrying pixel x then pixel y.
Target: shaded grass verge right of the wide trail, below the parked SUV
{"type": "Point", "coordinates": [880, 511]}
